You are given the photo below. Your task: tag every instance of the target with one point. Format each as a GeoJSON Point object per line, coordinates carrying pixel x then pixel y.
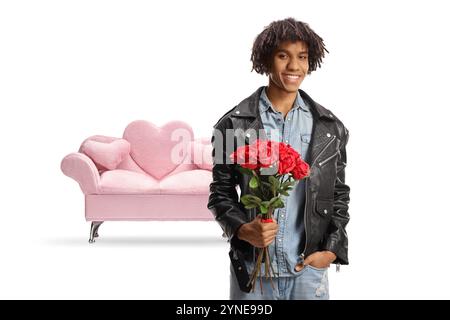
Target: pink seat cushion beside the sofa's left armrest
{"type": "Point", "coordinates": [127, 182]}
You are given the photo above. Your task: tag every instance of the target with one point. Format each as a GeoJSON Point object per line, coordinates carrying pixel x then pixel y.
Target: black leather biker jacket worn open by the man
{"type": "Point", "coordinates": [327, 195]}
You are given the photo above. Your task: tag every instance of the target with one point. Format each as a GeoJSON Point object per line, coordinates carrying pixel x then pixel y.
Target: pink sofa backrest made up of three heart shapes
{"type": "Point", "coordinates": [157, 151]}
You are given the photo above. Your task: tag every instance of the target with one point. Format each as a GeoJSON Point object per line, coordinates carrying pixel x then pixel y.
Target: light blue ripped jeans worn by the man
{"type": "Point", "coordinates": [310, 283]}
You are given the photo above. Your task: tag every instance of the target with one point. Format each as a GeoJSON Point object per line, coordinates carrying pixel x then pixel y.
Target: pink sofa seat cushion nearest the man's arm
{"type": "Point", "coordinates": [187, 182]}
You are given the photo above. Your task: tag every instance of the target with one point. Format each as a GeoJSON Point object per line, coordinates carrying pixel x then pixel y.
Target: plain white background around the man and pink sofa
{"type": "Point", "coordinates": [71, 69]}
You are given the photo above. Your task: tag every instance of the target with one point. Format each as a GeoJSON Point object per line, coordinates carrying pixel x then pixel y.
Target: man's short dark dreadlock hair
{"type": "Point", "coordinates": [278, 31]}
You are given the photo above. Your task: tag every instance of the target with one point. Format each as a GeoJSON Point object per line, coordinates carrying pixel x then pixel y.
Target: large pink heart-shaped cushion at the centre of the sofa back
{"type": "Point", "coordinates": [158, 150]}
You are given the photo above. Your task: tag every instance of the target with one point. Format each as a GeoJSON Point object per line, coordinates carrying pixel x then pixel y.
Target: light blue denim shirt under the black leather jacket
{"type": "Point", "coordinates": [295, 129]}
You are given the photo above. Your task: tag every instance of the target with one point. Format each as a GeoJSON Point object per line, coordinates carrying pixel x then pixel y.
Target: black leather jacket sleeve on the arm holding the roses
{"type": "Point", "coordinates": [223, 198]}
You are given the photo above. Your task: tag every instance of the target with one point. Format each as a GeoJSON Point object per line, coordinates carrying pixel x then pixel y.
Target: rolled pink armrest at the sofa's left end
{"type": "Point", "coordinates": [83, 170]}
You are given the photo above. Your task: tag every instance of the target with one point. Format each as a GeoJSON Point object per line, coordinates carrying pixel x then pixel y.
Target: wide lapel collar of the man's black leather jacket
{"type": "Point", "coordinates": [249, 107]}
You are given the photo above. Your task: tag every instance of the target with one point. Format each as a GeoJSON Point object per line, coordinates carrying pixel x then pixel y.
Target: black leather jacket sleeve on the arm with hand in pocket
{"type": "Point", "coordinates": [336, 239]}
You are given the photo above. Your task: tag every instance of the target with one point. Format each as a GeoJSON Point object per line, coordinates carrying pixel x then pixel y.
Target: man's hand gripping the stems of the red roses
{"type": "Point", "coordinates": [258, 233]}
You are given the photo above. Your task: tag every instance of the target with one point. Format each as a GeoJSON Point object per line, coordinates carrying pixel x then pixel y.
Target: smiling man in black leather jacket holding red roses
{"type": "Point", "coordinates": [308, 234]}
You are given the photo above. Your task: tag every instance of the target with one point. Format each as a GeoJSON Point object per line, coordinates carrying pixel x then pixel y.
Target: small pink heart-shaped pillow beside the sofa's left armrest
{"type": "Point", "coordinates": [106, 154]}
